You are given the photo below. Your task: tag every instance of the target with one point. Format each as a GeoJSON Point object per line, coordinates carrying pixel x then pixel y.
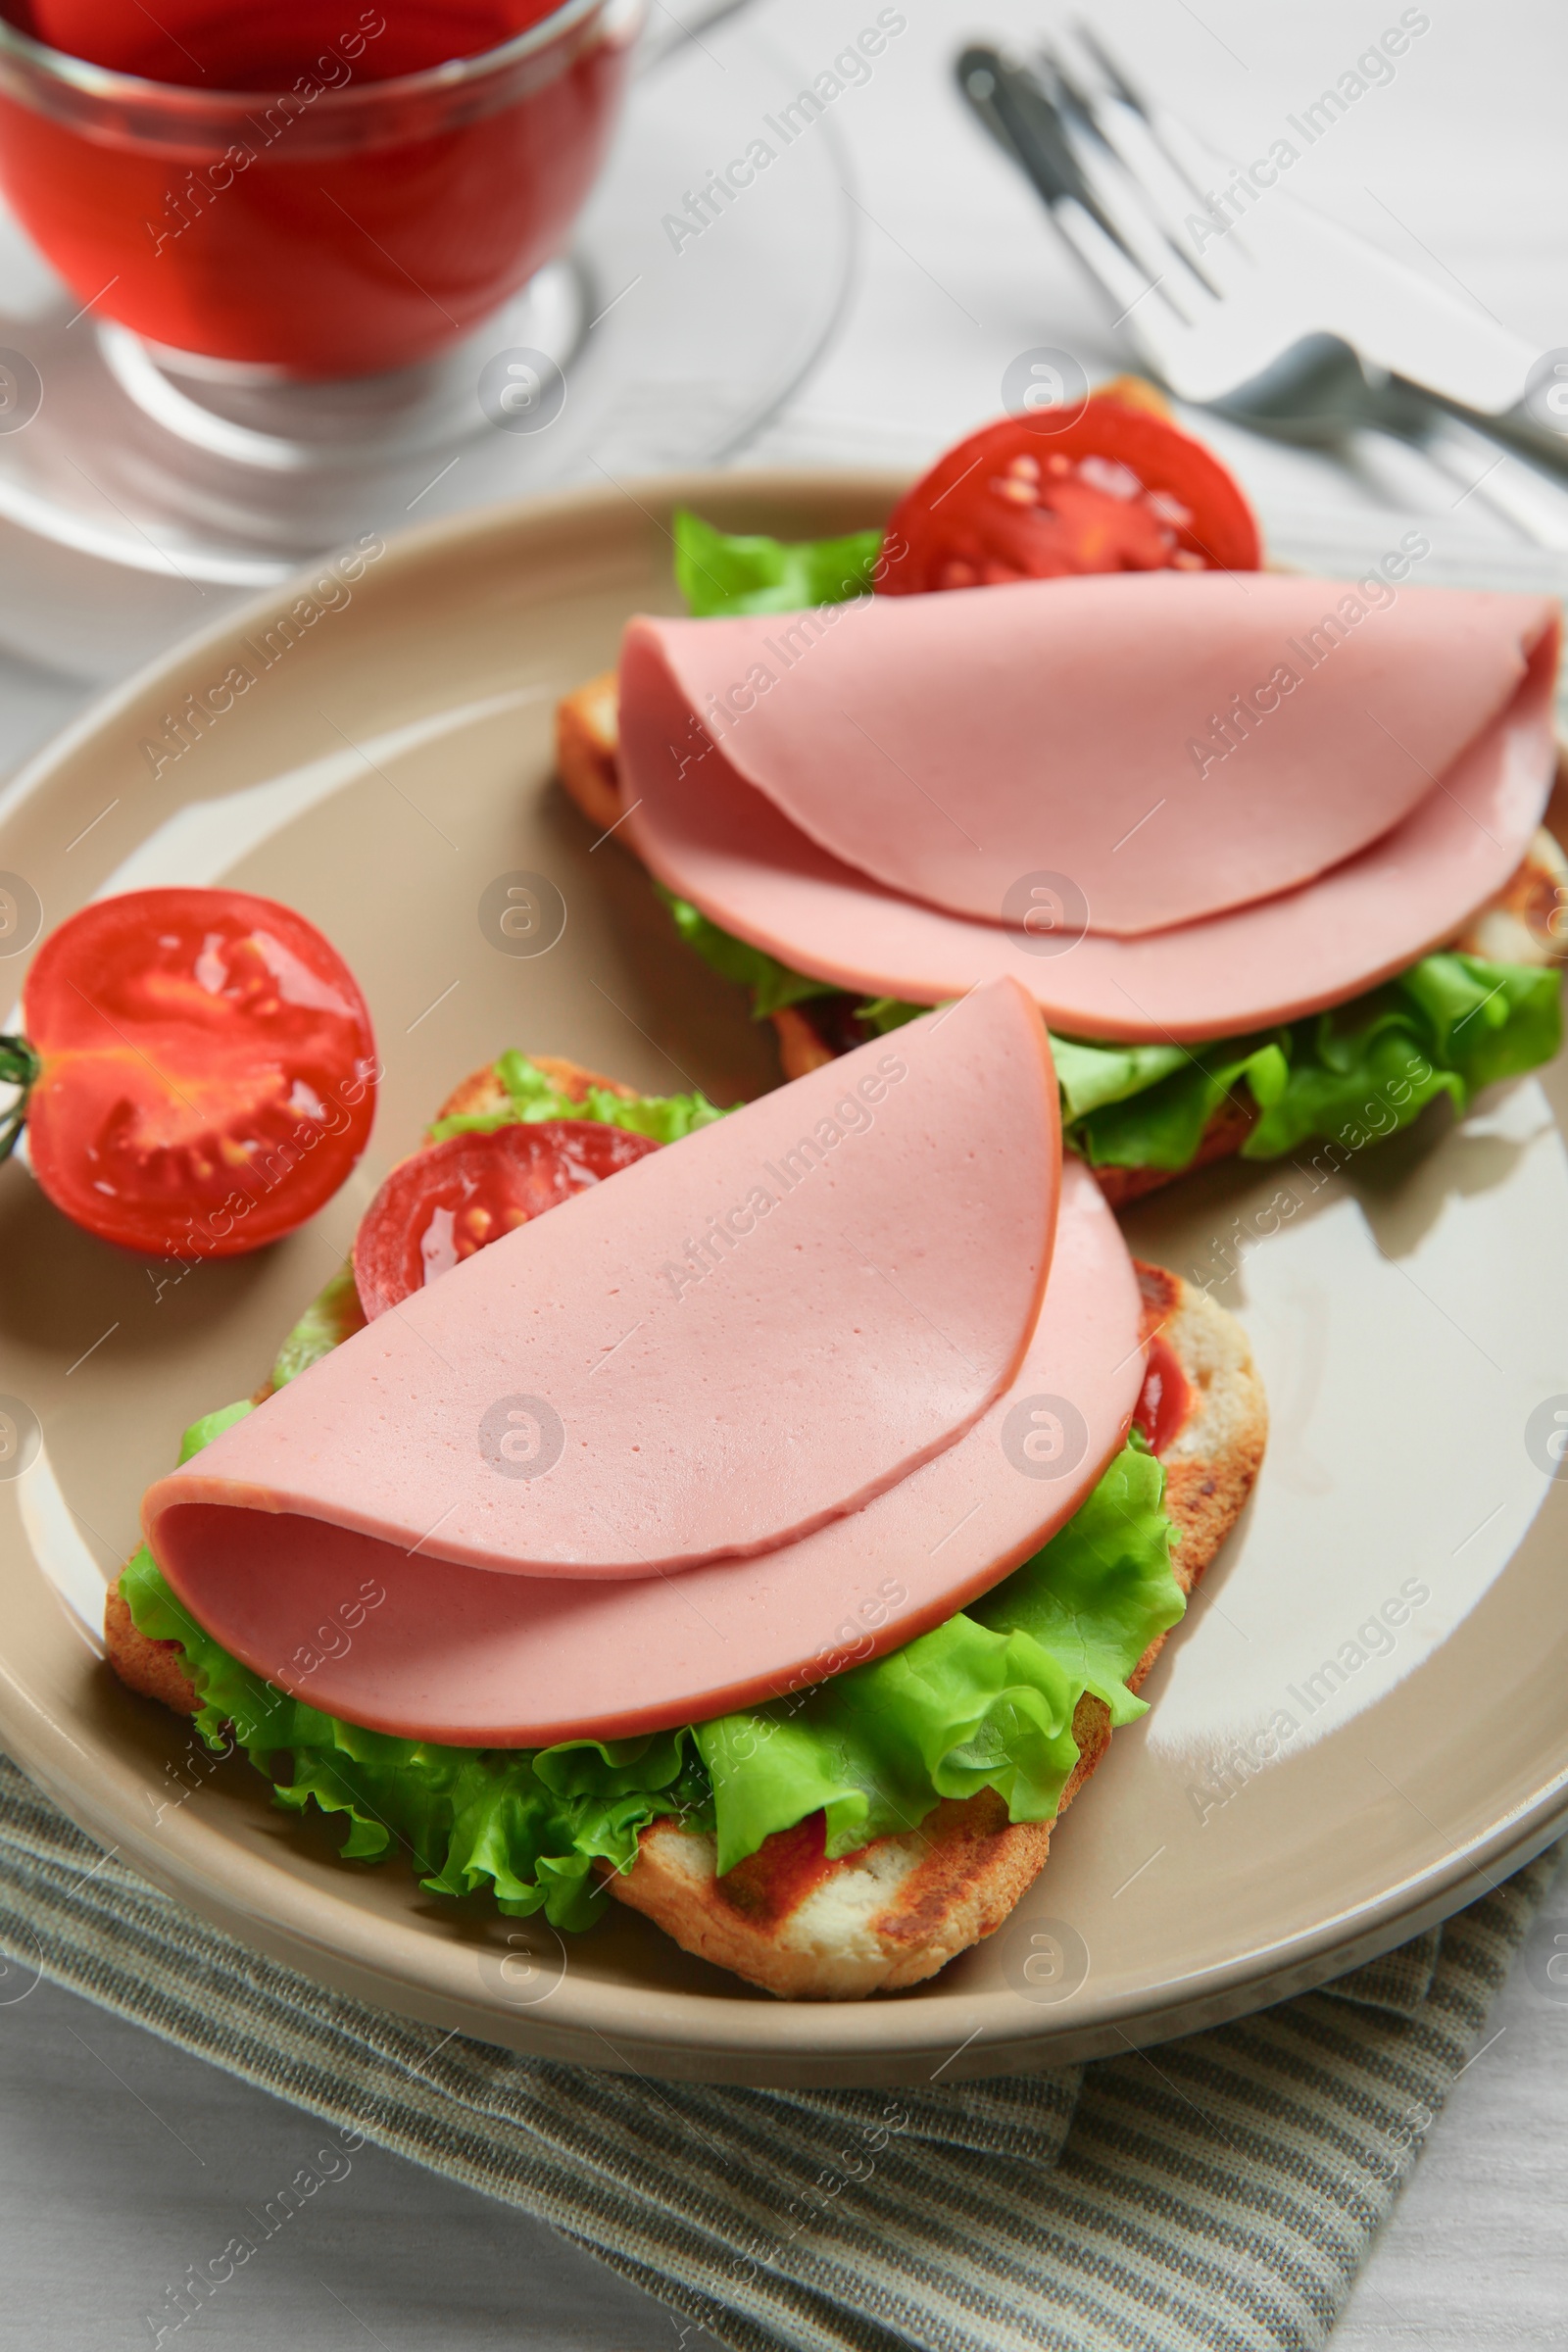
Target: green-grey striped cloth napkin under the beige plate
{"type": "Point", "coordinates": [1212, 2193]}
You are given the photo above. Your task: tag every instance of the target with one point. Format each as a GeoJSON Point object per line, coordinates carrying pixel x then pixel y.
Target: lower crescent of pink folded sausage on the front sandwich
{"type": "Point", "coordinates": [511, 1662]}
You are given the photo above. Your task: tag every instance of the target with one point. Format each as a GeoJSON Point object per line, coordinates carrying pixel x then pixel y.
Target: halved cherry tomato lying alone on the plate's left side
{"type": "Point", "coordinates": [203, 1071]}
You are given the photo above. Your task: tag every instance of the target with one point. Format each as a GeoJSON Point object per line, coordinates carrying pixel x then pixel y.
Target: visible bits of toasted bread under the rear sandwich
{"type": "Point", "coordinates": [1527, 923]}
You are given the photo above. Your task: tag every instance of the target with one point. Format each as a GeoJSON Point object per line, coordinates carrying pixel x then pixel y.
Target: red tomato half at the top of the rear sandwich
{"type": "Point", "coordinates": [1115, 490]}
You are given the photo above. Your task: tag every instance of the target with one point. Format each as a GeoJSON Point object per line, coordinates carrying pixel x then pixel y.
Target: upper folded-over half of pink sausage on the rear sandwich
{"type": "Point", "coordinates": [1177, 744]}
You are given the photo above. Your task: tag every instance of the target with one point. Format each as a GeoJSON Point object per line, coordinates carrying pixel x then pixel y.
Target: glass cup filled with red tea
{"type": "Point", "coordinates": [314, 187]}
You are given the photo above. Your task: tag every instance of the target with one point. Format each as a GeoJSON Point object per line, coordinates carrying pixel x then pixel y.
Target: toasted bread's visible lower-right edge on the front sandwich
{"type": "Point", "coordinates": [904, 1906]}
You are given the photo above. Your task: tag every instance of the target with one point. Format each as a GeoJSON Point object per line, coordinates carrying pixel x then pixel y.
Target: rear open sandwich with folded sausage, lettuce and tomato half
{"type": "Point", "coordinates": [1266, 853]}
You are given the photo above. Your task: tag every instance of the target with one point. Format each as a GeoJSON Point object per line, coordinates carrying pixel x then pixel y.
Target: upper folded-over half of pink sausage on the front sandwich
{"type": "Point", "coordinates": [716, 1351]}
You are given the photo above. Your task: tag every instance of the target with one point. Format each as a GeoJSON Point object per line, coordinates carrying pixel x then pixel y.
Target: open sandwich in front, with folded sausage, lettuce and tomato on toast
{"type": "Point", "coordinates": [760, 1521]}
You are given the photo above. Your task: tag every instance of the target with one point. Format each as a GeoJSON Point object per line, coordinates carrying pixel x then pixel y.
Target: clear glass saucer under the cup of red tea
{"type": "Point", "coordinates": [149, 490]}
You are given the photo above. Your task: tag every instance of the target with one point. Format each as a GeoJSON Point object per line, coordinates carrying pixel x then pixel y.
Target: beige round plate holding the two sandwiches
{"type": "Point", "coordinates": [1365, 1716]}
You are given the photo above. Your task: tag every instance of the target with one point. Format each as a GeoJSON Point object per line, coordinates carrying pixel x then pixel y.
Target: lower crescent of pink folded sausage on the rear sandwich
{"type": "Point", "coordinates": [730, 850]}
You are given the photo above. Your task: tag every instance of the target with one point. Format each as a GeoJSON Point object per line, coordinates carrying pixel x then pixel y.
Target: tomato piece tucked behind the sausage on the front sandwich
{"type": "Point", "coordinates": [471, 1191]}
